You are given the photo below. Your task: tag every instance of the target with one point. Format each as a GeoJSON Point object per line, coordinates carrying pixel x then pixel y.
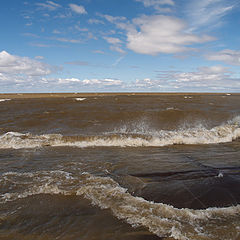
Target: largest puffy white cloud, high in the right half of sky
{"type": "Point", "coordinates": [161, 34]}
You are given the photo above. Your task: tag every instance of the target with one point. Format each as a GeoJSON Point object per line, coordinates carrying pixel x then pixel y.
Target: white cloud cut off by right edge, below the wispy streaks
{"type": "Point", "coordinates": [228, 56]}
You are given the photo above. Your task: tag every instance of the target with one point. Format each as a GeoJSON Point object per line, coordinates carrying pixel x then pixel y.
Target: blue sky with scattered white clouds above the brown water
{"type": "Point", "coordinates": [119, 46]}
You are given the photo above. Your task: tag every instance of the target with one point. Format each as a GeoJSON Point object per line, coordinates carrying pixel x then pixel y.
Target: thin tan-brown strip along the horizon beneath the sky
{"type": "Point", "coordinates": [72, 95]}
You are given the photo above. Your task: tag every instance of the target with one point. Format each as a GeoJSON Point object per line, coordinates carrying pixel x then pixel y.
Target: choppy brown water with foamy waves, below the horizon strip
{"type": "Point", "coordinates": [120, 167]}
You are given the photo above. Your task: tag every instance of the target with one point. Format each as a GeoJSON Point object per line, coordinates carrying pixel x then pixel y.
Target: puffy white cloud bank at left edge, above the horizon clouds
{"type": "Point", "coordinates": [10, 64]}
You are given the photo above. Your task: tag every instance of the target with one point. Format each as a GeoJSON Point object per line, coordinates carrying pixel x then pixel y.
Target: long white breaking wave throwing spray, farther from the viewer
{"type": "Point", "coordinates": [128, 138]}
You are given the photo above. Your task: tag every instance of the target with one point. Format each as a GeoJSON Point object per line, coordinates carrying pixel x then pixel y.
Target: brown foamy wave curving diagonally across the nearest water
{"type": "Point", "coordinates": [161, 219]}
